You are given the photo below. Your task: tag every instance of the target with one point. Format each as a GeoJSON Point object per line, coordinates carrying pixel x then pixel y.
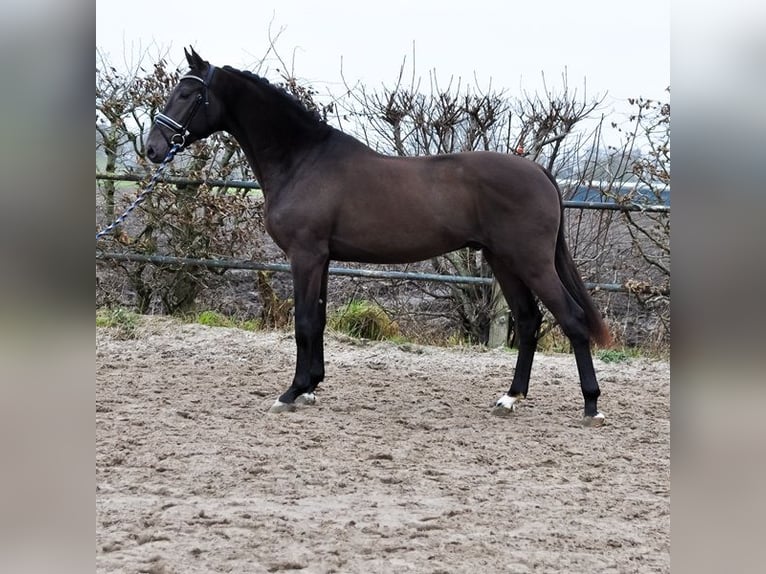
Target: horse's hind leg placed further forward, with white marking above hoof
{"type": "Point", "coordinates": [527, 319]}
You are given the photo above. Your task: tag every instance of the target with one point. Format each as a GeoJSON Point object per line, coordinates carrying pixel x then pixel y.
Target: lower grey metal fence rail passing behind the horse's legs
{"type": "Point", "coordinates": [349, 272]}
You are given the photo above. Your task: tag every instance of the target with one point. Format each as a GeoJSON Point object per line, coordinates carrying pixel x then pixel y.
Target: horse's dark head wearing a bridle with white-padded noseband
{"type": "Point", "coordinates": [190, 113]}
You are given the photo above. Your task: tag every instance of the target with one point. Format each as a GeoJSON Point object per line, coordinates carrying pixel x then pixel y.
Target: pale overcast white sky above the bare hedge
{"type": "Point", "coordinates": [618, 47]}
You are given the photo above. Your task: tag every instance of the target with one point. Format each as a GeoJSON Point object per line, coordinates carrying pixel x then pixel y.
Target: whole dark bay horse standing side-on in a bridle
{"type": "Point", "coordinates": [330, 197]}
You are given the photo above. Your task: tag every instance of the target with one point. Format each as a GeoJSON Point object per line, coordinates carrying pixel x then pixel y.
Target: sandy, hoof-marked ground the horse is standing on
{"type": "Point", "coordinates": [400, 466]}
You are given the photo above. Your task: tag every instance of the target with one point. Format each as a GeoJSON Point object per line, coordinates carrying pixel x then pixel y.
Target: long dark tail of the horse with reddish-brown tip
{"type": "Point", "coordinates": [570, 277]}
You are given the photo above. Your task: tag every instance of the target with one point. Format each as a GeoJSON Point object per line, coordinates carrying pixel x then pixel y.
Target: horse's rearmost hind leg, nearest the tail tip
{"type": "Point", "coordinates": [571, 318]}
